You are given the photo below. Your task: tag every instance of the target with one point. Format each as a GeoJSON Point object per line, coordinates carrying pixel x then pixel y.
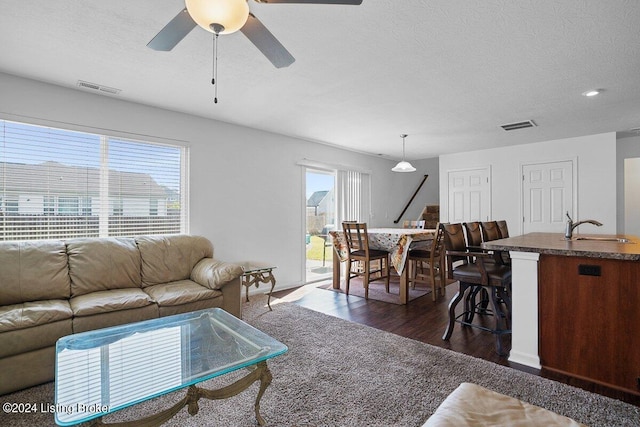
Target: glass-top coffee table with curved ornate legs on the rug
{"type": "Point", "coordinates": [106, 370]}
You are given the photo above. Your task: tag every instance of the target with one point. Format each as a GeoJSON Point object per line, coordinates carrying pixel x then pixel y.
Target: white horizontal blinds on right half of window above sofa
{"type": "Point", "coordinates": [144, 188]}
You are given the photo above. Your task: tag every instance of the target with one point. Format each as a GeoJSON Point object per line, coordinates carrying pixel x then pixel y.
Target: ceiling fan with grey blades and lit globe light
{"type": "Point", "coordinates": [226, 17]}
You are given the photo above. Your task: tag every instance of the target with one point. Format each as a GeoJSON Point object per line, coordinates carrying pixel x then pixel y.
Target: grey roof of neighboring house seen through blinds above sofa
{"type": "Point", "coordinates": [57, 178]}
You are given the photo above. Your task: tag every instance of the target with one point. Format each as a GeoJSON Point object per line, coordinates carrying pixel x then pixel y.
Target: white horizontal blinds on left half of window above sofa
{"type": "Point", "coordinates": [47, 177]}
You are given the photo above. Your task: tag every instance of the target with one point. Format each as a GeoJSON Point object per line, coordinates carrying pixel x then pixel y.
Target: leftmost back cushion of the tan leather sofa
{"type": "Point", "coordinates": [33, 271]}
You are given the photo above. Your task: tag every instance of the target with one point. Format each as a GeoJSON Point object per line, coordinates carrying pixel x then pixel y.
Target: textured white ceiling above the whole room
{"type": "Point", "coordinates": [446, 72]}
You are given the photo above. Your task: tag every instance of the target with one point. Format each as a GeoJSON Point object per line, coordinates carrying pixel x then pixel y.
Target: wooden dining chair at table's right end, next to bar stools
{"type": "Point", "coordinates": [433, 261]}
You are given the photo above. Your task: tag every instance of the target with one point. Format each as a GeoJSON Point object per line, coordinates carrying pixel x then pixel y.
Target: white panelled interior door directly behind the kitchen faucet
{"type": "Point", "coordinates": [547, 191]}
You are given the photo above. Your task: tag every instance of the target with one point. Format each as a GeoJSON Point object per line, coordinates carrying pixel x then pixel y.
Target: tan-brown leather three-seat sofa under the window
{"type": "Point", "coordinates": [53, 288]}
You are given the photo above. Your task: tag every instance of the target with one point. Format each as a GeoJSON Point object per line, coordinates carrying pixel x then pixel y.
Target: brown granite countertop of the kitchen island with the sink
{"type": "Point", "coordinates": [555, 244]}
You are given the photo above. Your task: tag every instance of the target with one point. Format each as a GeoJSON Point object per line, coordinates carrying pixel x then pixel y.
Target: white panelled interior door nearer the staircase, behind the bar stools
{"type": "Point", "coordinates": [469, 195]}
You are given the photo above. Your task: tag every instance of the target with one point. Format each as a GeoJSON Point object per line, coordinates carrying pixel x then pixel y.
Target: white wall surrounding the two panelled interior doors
{"type": "Point", "coordinates": [596, 177]}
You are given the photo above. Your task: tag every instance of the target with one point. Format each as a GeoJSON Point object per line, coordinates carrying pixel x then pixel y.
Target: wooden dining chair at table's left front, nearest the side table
{"type": "Point", "coordinates": [361, 256]}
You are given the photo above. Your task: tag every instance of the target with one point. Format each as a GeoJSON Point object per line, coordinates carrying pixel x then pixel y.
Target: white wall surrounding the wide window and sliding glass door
{"type": "Point", "coordinates": [246, 189]}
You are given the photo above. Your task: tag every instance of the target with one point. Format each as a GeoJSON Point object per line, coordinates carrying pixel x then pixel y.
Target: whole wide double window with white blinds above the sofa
{"type": "Point", "coordinates": [57, 184]}
